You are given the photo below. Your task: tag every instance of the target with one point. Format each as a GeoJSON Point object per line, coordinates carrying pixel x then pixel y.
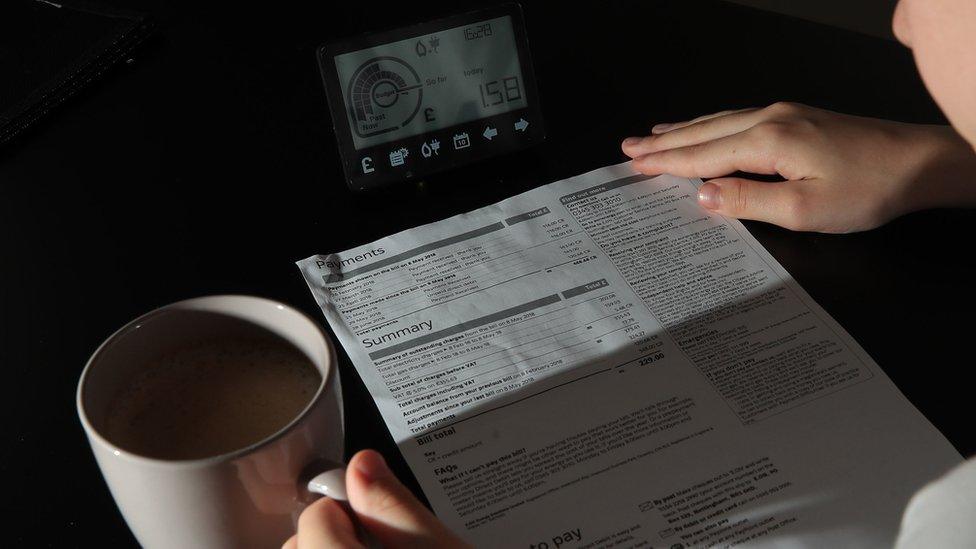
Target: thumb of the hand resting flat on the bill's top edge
{"type": "Point", "coordinates": [777, 203]}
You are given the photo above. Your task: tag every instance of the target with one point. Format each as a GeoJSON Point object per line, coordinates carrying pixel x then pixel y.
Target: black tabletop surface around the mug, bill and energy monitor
{"type": "Point", "coordinates": [207, 165]}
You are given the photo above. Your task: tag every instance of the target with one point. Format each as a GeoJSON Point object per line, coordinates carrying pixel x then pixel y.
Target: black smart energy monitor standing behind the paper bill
{"type": "Point", "coordinates": [431, 97]}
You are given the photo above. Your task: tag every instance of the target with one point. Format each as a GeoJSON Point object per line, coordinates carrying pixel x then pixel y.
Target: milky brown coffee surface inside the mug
{"type": "Point", "coordinates": [212, 398]}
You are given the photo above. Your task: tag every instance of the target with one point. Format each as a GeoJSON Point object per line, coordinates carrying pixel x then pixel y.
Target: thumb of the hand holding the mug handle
{"type": "Point", "coordinates": [388, 510]}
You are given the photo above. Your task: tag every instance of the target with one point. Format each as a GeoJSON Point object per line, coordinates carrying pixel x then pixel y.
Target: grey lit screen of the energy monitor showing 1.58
{"type": "Point", "coordinates": [430, 82]}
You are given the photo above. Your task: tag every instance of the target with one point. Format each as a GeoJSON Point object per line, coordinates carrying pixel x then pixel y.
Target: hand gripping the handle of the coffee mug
{"type": "Point", "coordinates": [381, 504]}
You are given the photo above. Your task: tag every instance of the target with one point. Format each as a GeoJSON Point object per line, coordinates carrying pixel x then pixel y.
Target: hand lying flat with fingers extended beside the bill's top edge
{"type": "Point", "coordinates": [844, 173]}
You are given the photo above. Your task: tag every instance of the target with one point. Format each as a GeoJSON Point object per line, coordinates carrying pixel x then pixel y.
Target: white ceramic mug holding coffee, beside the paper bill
{"type": "Point", "coordinates": [249, 497]}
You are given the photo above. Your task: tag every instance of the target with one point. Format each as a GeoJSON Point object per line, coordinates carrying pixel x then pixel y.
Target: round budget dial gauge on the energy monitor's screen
{"type": "Point", "coordinates": [384, 94]}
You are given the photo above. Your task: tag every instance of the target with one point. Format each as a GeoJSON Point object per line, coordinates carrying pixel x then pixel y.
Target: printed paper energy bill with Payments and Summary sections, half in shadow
{"type": "Point", "coordinates": [600, 362]}
